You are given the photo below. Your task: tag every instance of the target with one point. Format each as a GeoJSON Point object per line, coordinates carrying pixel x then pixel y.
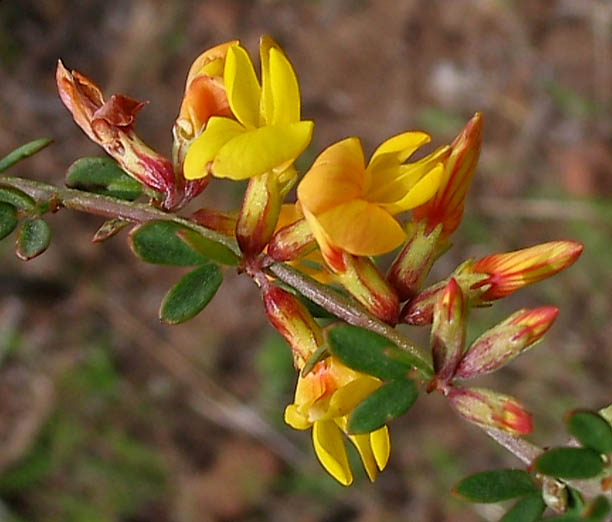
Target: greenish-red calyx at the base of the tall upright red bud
{"type": "Point", "coordinates": [413, 263]}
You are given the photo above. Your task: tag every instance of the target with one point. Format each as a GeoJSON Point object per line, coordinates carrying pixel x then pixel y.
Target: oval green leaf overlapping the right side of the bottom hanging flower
{"type": "Point", "coordinates": [388, 402]}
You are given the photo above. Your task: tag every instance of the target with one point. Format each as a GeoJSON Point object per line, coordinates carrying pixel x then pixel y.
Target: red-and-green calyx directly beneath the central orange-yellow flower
{"type": "Point", "coordinates": [362, 279]}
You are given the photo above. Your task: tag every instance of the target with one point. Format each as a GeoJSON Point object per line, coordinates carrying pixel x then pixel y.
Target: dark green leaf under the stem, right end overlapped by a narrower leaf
{"type": "Point", "coordinates": [157, 242]}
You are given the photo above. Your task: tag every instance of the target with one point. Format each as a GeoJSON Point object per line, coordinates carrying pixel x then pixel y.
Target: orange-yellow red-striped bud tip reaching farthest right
{"type": "Point", "coordinates": [513, 270]}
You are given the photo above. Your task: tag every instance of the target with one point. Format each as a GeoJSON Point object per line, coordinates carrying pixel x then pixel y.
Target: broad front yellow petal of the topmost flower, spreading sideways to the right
{"type": "Point", "coordinates": [260, 150]}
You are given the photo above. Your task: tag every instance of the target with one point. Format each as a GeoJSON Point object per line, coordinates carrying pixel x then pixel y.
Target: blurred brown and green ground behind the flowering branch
{"type": "Point", "coordinates": [107, 415]}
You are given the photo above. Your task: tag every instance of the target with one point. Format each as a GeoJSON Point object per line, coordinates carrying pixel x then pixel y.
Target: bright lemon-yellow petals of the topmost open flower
{"type": "Point", "coordinates": [265, 133]}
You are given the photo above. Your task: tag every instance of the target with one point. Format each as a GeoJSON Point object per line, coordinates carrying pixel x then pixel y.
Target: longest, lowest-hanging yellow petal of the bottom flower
{"type": "Point", "coordinates": [330, 450]}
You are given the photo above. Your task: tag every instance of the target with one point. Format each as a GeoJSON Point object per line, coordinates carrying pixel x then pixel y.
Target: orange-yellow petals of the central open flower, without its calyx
{"type": "Point", "coordinates": [351, 206]}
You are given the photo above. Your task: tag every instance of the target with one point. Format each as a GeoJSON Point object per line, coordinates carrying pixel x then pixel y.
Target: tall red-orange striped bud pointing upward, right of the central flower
{"type": "Point", "coordinates": [446, 207]}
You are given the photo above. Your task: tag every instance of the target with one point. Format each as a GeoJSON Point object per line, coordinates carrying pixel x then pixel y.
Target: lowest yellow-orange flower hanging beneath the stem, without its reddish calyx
{"type": "Point", "coordinates": [323, 400]}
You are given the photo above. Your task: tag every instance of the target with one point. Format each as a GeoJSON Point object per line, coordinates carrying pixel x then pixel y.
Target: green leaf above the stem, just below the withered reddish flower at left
{"type": "Point", "coordinates": [102, 176]}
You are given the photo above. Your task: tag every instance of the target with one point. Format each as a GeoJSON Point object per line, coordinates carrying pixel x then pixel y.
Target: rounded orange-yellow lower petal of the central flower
{"type": "Point", "coordinates": [362, 228]}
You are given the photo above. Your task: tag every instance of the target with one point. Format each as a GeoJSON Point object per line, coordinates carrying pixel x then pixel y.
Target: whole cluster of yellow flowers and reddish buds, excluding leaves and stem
{"type": "Point", "coordinates": [236, 124]}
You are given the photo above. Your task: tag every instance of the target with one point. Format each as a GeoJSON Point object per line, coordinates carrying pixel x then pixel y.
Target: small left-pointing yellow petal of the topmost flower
{"type": "Point", "coordinates": [205, 147]}
